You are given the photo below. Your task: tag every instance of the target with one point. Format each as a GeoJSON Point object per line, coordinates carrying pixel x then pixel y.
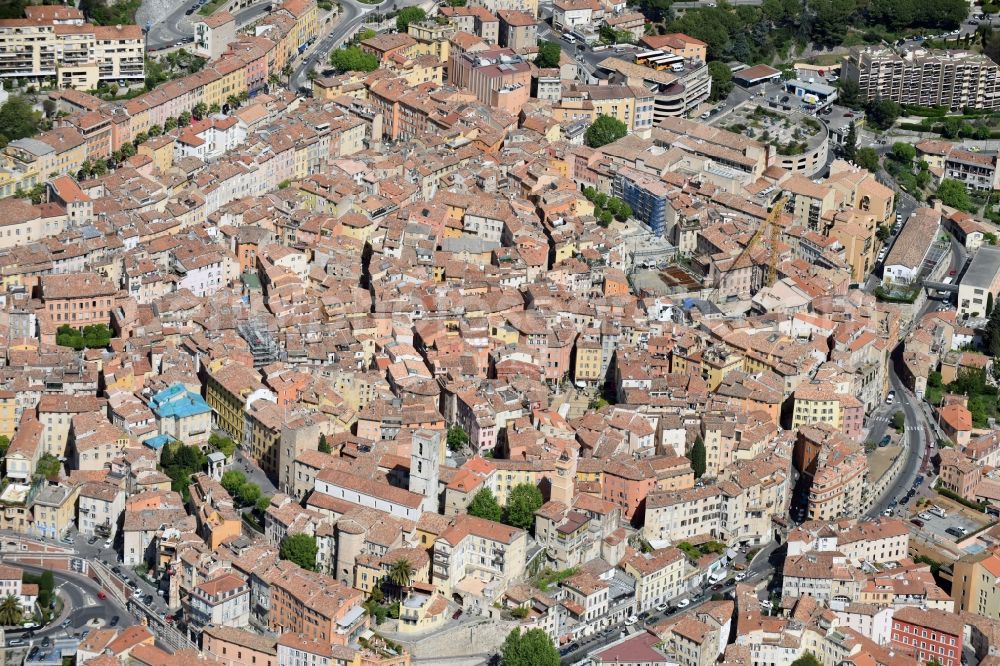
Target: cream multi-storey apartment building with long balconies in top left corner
{"type": "Point", "coordinates": [55, 41]}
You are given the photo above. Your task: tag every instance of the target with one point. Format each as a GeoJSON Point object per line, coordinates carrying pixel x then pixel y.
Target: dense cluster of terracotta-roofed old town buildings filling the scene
{"type": "Point", "coordinates": [345, 283]}
